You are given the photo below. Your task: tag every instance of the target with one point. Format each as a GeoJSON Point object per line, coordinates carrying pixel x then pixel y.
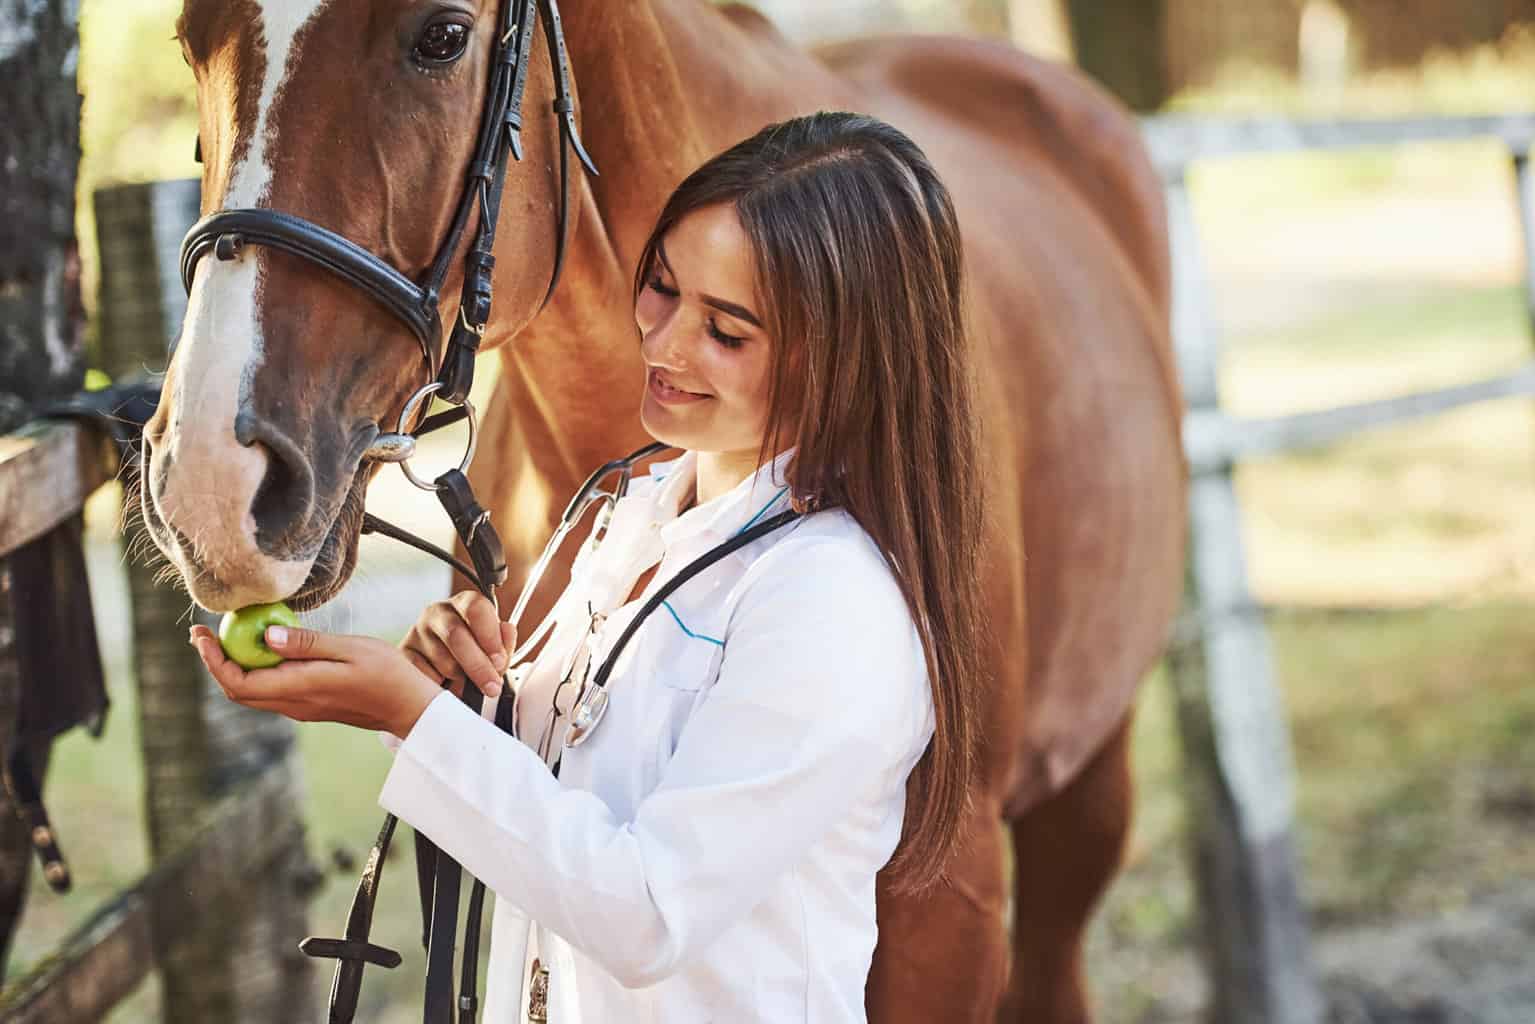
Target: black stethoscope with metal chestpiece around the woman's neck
{"type": "Point", "coordinates": [592, 701]}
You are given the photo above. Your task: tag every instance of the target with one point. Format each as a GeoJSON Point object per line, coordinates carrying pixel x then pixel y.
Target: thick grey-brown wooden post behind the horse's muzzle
{"type": "Point", "coordinates": [197, 745]}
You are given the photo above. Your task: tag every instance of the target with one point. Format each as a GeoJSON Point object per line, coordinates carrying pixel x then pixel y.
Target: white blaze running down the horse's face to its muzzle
{"type": "Point", "coordinates": [213, 481]}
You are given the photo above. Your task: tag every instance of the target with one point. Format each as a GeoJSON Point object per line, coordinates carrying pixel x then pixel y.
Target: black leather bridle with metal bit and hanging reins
{"type": "Point", "coordinates": [225, 234]}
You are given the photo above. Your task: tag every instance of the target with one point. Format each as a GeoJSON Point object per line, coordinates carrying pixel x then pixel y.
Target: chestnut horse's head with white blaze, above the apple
{"type": "Point", "coordinates": [360, 117]}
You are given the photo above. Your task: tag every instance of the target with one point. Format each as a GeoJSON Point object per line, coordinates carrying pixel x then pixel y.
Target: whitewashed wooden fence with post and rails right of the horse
{"type": "Point", "coordinates": [1238, 758]}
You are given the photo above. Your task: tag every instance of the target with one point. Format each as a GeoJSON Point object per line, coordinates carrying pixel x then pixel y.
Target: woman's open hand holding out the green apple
{"type": "Point", "coordinates": [326, 678]}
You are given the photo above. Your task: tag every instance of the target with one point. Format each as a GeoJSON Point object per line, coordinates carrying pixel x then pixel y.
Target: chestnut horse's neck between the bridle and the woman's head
{"type": "Point", "coordinates": [662, 85]}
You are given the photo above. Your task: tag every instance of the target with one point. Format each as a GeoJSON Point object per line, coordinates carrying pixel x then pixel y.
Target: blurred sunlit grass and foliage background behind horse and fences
{"type": "Point", "coordinates": [1401, 564]}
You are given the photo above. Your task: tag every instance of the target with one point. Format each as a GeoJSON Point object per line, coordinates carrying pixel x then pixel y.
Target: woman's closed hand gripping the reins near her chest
{"type": "Point", "coordinates": [463, 641]}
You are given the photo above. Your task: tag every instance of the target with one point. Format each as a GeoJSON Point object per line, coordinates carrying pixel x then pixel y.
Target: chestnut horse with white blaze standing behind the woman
{"type": "Point", "coordinates": [342, 113]}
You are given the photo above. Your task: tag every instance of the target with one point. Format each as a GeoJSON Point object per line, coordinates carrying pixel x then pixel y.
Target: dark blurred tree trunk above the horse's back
{"type": "Point", "coordinates": [1123, 45]}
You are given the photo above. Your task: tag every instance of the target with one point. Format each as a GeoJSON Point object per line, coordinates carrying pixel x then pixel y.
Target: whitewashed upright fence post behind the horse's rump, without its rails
{"type": "Point", "coordinates": [1240, 781]}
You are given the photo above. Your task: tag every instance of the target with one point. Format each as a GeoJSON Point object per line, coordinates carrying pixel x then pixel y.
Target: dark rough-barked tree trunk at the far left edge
{"type": "Point", "coordinates": [42, 340]}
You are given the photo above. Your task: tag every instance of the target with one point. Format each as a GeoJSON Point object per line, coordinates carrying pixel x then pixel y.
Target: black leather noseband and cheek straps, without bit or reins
{"type": "Point", "coordinates": [417, 305]}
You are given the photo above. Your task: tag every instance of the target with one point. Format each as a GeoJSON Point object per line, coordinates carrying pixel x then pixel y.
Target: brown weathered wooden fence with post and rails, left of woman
{"type": "Point", "coordinates": [222, 911]}
